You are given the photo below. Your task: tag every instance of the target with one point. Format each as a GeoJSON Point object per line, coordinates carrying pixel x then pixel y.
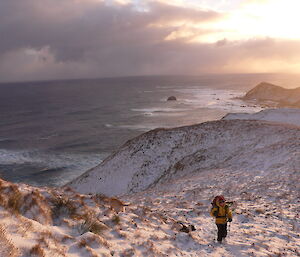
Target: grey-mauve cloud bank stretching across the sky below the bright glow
{"type": "Point", "coordinates": [53, 39]}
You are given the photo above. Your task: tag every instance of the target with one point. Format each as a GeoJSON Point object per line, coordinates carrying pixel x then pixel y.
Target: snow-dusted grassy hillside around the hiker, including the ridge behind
{"type": "Point", "coordinates": [169, 175]}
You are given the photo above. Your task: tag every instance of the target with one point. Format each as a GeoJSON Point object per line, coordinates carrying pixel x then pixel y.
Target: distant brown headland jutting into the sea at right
{"type": "Point", "coordinates": [271, 95]}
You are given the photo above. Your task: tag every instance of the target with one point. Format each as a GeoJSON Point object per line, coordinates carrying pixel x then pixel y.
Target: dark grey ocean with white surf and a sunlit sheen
{"type": "Point", "coordinates": [53, 131]}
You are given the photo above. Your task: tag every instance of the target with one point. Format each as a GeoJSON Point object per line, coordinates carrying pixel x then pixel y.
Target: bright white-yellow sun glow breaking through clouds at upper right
{"type": "Point", "coordinates": [253, 19]}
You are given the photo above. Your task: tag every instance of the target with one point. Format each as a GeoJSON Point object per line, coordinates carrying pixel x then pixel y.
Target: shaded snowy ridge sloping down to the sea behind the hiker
{"type": "Point", "coordinates": [164, 153]}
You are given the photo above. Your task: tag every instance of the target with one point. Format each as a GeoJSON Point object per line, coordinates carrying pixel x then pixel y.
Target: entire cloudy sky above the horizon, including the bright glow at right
{"type": "Point", "coordinates": [62, 39]}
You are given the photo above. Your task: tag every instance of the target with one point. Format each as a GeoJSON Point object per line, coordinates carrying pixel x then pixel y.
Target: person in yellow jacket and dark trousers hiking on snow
{"type": "Point", "coordinates": [221, 211]}
